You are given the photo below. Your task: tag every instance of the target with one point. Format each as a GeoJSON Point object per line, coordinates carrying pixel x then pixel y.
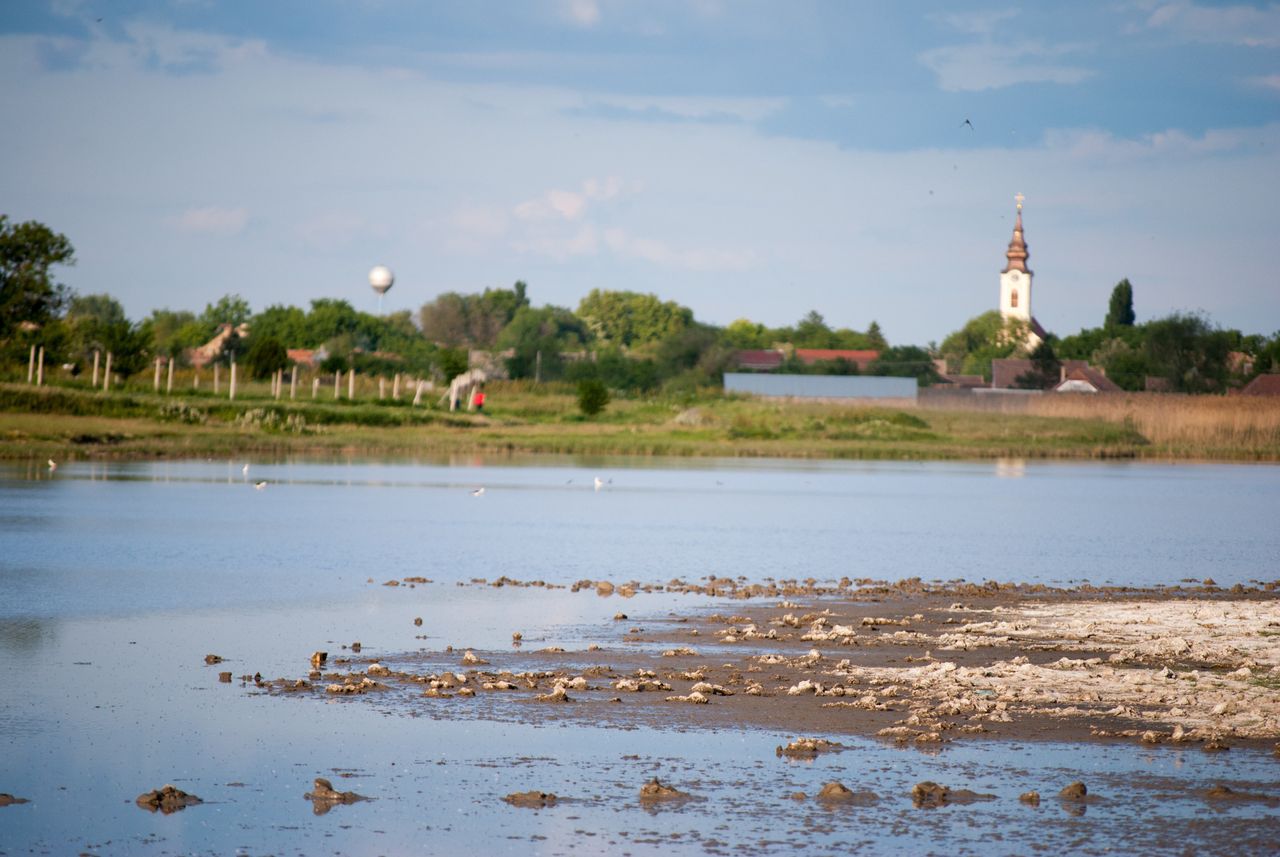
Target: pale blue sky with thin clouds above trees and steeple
{"type": "Point", "coordinates": [744, 158]}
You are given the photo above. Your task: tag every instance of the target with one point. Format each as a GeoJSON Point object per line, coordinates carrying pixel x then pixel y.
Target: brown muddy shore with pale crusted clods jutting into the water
{"type": "Point", "coordinates": [908, 663]}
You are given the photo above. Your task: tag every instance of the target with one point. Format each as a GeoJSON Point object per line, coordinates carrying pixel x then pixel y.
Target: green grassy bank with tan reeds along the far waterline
{"type": "Point", "coordinates": [70, 423]}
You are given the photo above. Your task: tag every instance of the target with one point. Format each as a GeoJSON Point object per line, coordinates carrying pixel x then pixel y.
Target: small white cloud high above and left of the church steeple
{"type": "Point", "coordinates": [995, 66]}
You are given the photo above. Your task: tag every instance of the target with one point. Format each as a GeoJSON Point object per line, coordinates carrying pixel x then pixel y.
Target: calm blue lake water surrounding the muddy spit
{"type": "Point", "coordinates": [117, 579]}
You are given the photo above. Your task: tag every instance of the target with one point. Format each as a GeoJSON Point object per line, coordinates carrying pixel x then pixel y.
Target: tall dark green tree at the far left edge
{"type": "Point", "coordinates": [28, 291]}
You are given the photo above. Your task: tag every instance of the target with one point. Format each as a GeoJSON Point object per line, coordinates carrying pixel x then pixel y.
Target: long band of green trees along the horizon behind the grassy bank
{"type": "Point", "coordinates": [630, 342]}
